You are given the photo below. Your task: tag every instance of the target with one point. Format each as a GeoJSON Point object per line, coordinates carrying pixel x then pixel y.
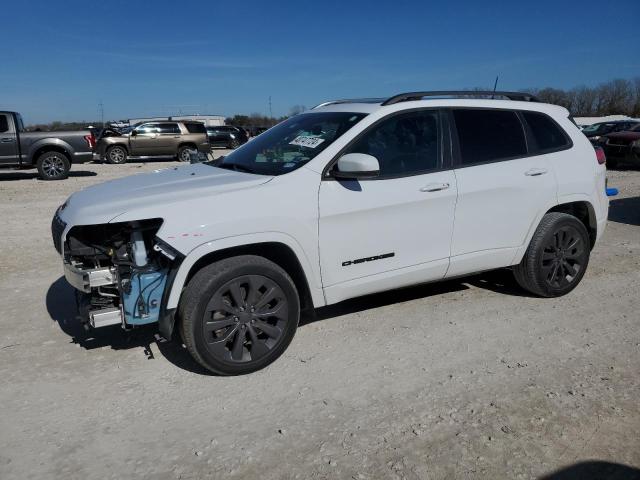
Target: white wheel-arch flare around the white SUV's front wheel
{"type": "Point", "coordinates": [311, 269]}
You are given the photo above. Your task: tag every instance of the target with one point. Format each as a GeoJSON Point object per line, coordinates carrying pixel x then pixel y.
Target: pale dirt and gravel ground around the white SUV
{"type": "Point", "coordinates": [464, 379]}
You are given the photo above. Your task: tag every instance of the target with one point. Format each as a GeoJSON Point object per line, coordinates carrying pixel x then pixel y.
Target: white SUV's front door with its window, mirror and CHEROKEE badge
{"type": "Point", "coordinates": [394, 229]}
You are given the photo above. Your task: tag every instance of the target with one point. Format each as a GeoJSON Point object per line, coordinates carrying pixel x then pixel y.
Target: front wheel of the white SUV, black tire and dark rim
{"type": "Point", "coordinates": [231, 294]}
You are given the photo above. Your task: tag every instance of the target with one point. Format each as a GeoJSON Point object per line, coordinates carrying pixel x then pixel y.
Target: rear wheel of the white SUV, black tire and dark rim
{"type": "Point", "coordinates": [557, 257]}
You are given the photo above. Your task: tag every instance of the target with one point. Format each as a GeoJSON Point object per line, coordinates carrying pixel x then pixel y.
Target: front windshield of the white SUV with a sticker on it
{"type": "Point", "coordinates": [290, 144]}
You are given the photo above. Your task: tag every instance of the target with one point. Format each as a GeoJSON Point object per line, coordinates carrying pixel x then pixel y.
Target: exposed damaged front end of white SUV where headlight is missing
{"type": "Point", "coordinates": [120, 270]}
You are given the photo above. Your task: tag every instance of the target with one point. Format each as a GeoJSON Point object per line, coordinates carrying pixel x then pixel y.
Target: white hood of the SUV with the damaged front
{"type": "Point", "coordinates": [104, 202]}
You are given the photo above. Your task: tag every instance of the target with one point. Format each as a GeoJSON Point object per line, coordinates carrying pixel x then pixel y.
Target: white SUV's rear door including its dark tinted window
{"type": "Point", "coordinates": [501, 188]}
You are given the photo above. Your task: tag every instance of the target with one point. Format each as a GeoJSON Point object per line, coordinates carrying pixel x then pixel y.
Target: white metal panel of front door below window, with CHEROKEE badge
{"type": "Point", "coordinates": [377, 217]}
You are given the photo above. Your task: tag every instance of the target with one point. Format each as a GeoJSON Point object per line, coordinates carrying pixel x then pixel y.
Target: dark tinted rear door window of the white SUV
{"type": "Point", "coordinates": [486, 135]}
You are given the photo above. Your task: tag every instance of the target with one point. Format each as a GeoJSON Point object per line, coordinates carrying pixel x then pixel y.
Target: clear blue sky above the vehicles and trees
{"type": "Point", "coordinates": [158, 58]}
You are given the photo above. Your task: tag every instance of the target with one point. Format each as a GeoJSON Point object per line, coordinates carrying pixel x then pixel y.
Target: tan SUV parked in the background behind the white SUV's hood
{"type": "Point", "coordinates": [154, 139]}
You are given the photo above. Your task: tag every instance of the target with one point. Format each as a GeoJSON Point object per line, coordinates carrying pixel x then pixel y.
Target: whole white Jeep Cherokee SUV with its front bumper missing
{"type": "Point", "coordinates": [350, 198]}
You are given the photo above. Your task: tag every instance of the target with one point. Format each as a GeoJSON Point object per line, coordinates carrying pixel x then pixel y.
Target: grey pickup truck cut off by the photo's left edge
{"type": "Point", "coordinates": [52, 153]}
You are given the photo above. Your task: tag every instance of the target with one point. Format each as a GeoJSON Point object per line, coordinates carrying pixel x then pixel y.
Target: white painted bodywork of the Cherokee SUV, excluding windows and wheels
{"type": "Point", "coordinates": [484, 220]}
